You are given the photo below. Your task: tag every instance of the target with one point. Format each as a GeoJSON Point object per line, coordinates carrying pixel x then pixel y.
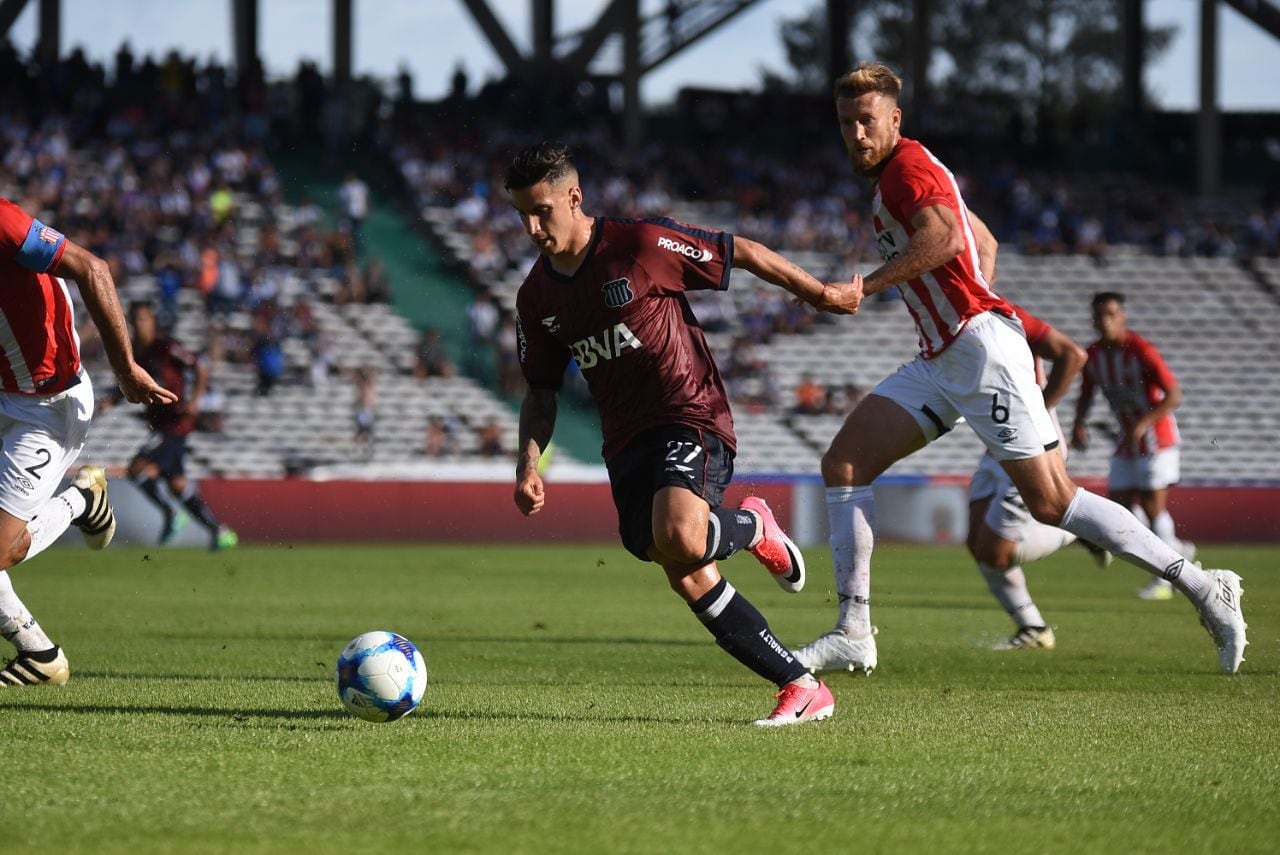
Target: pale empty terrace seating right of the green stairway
{"type": "Point", "coordinates": [1214, 321]}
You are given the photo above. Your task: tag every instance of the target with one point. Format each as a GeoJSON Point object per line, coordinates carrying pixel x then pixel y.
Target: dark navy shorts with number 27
{"type": "Point", "coordinates": [668, 456]}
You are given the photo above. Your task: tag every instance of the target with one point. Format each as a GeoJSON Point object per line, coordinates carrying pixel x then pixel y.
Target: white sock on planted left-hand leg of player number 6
{"type": "Point", "coordinates": [852, 514]}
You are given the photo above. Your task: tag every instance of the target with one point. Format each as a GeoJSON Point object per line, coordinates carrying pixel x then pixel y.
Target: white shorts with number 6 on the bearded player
{"type": "Point", "coordinates": [988, 378]}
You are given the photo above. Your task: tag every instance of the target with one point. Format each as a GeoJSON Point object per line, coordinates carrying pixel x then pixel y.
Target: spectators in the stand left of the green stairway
{"type": "Point", "coordinates": [164, 170]}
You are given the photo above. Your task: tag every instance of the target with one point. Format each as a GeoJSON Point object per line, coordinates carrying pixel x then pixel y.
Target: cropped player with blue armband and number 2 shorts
{"type": "Point", "coordinates": [47, 403]}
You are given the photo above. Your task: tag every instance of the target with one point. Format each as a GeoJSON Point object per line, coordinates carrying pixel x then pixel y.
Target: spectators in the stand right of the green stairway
{"type": "Point", "coordinates": [810, 204]}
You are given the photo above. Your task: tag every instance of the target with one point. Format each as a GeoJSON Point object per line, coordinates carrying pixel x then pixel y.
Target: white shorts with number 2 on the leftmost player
{"type": "Point", "coordinates": [43, 437]}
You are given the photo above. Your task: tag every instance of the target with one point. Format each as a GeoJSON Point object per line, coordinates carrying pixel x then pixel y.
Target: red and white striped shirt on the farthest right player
{"type": "Point", "coordinates": [1135, 378]}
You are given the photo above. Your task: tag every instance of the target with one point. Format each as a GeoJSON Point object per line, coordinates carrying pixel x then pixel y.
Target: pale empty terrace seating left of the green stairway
{"type": "Point", "coordinates": [299, 427]}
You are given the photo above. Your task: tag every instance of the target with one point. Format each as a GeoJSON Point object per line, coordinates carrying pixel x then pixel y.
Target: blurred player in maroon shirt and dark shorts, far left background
{"type": "Point", "coordinates": [164, 454]}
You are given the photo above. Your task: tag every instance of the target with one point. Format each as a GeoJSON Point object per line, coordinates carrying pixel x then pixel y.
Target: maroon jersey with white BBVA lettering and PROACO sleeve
{"type": "Point", "coordinates": [625, 319]}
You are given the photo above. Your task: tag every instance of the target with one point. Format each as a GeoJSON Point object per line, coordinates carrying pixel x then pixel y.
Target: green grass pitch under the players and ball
{"type": "Point", "coordinates": [578, 707]}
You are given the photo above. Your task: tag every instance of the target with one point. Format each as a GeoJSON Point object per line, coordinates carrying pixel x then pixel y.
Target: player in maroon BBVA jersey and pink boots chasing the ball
{"type": "Point", "coordinates": [611, 295]}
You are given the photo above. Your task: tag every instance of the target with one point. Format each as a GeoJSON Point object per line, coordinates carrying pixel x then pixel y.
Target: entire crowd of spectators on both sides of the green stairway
{"type": "Point", "coordinates": [81, 145]}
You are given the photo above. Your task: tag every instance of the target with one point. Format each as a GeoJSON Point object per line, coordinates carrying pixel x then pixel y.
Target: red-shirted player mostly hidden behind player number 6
{"type": "Point", "coordinates": [1003, 534]}
